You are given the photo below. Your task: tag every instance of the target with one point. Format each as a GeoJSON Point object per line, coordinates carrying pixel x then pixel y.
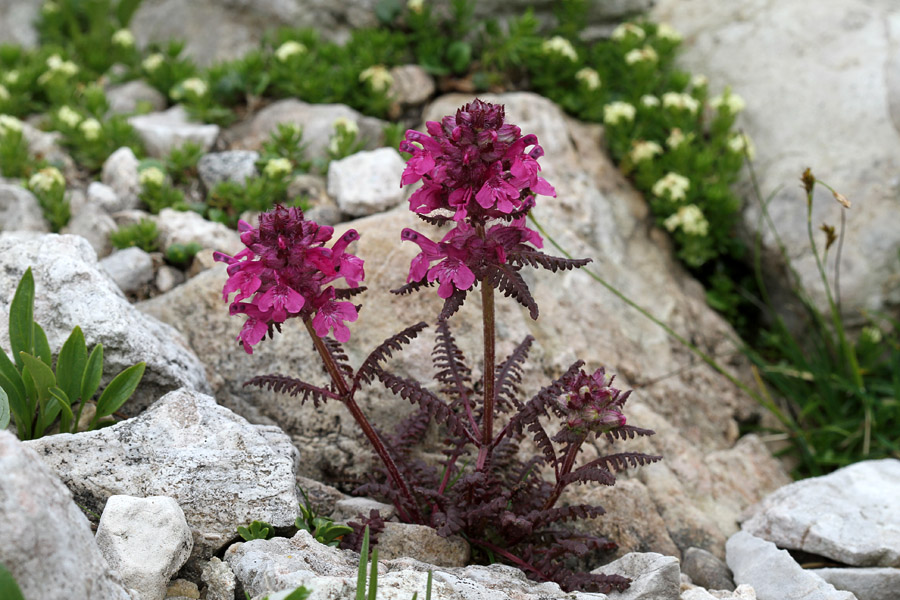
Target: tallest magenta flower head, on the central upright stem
{"type": "Point", "coordinates": [477, 167]}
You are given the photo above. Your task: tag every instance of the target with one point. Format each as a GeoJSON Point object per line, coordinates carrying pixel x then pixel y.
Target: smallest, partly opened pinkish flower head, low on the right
{"type": "Point", "coordinates": [592, 404]}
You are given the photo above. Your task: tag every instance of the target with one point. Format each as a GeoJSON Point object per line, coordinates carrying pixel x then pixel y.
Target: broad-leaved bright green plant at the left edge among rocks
{"type": "Point", "coordinates": [37, 396]}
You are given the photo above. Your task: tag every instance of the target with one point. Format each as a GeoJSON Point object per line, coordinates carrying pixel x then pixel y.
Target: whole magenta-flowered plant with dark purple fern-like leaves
{"type": "Point", "coordinates": [480, 175]}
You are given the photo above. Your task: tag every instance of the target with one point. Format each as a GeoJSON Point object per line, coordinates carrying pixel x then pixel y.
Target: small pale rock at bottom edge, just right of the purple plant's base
{"type": "Point", "coordinates": [653, 576]}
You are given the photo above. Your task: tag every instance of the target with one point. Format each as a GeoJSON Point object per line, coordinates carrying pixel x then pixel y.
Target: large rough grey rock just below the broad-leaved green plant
{"type": "Point", "coordinates": [221, 470]}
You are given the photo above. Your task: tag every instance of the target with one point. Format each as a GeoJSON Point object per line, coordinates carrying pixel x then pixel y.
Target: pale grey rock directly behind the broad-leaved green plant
{"type": "Point", "coordinates": [72, 289]}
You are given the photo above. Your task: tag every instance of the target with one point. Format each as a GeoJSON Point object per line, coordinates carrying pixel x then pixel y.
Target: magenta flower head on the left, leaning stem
{"type": "Point", "coordinates": [284, 272]}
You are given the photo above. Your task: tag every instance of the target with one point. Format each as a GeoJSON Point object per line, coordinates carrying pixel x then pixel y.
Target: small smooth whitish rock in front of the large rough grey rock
{"type": "Point", "coordinates": [146, 540]}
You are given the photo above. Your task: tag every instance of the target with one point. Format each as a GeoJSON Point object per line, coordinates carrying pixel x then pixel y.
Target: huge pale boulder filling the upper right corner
{"type": "Point", "coordinates": [775, 55]}
